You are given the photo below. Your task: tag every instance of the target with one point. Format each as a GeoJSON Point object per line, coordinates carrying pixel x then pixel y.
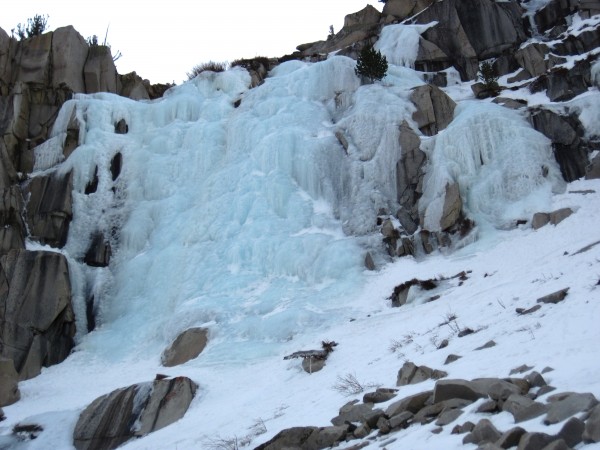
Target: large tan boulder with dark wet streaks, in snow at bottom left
{"type": "Point", "coordinates": [134, 411]}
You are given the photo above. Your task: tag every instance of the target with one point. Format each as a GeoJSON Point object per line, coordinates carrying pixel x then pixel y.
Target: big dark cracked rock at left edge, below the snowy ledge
{"type": "Point", "coordinates": [37, 322]}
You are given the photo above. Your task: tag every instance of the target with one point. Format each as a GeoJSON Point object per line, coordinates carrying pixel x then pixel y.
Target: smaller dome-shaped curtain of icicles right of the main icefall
{"type": "Point", "coordinates": [504, 168]}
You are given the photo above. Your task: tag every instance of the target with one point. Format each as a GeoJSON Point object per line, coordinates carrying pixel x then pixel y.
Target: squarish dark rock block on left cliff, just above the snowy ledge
{"type": "Point", "coordinates": [49, 209]}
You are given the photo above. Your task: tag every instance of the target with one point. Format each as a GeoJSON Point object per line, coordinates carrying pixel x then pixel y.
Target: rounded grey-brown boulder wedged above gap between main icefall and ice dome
{"type": "Point", "coordinates": [435, 110]}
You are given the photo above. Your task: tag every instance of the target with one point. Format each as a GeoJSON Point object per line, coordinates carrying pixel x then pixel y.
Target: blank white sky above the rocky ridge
{"type": "Point", "coordinates": [162, 41]}
